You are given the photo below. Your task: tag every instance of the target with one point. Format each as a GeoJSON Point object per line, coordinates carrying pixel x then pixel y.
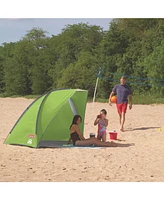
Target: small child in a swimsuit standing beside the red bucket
{"type": "Point", "coordinates": [102, 124]}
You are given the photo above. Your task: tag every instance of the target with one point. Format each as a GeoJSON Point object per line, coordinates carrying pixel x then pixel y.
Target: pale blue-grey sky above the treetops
{"type": "Point", "coordinates": [13, 29]}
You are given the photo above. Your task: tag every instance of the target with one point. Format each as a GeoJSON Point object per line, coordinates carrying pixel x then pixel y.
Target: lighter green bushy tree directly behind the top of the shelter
{"type": "Point", "coordinates": [82, 74]}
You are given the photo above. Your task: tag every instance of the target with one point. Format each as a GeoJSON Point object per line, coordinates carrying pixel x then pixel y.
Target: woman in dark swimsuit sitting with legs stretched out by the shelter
{"type": "Point", "coordinates": [79, 140]}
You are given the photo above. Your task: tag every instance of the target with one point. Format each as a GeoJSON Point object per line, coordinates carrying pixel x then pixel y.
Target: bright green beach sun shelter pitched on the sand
{"type": "Point", "coordinates": [48, 118]}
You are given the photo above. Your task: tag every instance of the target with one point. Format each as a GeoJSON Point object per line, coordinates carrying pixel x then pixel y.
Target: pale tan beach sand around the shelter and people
{"type": "Point", "coordinates": [142, 162]}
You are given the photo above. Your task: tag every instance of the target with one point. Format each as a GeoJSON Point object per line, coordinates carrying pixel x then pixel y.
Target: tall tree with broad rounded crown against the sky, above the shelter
{"type": "Point", "coordinates": [67, 46]}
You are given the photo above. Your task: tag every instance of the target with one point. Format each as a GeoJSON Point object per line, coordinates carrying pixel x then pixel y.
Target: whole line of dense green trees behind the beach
{"type": "Point", "coordinates": [38, 63]}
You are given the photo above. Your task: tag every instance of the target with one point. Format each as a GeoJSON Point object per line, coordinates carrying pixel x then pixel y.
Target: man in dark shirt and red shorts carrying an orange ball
{"type": "Point", "coordinates": [123, 92]}
